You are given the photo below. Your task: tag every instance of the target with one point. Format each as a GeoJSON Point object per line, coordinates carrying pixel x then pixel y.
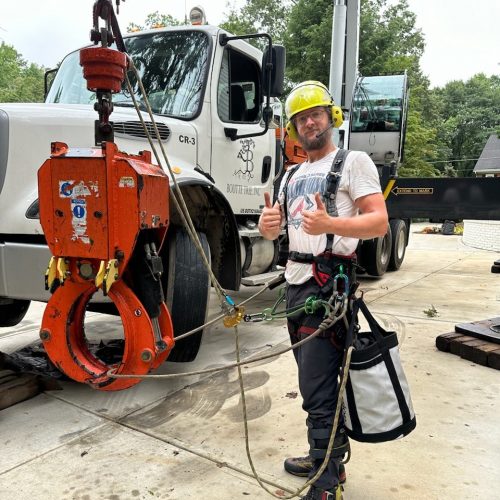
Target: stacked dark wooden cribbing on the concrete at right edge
{"type": "Point", "coordinates": [477, 342]}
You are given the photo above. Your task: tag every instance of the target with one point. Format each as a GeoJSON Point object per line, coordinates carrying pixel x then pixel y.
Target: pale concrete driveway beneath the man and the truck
{"type": "Point", "coordinates": [183, 438]}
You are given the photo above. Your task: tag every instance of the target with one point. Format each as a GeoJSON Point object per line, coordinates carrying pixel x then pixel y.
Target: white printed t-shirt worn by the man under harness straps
{"type": "Point", "coordinates": [359, 178]}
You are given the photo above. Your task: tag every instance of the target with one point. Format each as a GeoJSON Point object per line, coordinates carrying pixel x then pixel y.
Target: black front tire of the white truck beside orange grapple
{"type": "Point", "coordinates": [187, 287]}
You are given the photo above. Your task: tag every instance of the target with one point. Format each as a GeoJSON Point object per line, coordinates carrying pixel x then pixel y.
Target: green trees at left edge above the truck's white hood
{"type": "Point", "coordinates": [19, 81]}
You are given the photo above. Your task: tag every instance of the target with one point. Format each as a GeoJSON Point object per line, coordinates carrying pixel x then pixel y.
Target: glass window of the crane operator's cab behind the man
{"type": "Point", "coordinates": [378, 103]}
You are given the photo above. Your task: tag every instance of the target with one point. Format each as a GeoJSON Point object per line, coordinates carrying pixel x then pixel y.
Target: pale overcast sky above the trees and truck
{"type": "Point", "coordinates": [462, 37]}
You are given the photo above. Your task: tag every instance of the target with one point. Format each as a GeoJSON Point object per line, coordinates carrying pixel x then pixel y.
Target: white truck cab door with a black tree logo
{"type": "Point", "coordinates": [241, 168]}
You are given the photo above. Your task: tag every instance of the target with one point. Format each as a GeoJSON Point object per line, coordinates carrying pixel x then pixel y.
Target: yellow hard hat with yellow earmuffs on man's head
{"type": "Point", "coordinates": [306, 95]}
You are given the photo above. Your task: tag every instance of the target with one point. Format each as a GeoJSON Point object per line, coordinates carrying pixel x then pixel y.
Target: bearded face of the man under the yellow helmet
{"type": "Point", "coordinates": [309, 124]}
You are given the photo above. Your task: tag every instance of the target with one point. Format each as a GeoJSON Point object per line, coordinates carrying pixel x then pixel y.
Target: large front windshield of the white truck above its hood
{"type": "Point", "coordinates": [172, 65]}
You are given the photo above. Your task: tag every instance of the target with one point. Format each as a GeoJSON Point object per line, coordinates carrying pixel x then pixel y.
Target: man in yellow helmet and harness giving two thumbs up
{"type": "Point", "coordinates": [311, 114]}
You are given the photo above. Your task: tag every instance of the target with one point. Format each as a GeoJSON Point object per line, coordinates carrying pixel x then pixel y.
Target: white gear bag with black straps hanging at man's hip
{"type": "Point", "coordinates": [376, 402]}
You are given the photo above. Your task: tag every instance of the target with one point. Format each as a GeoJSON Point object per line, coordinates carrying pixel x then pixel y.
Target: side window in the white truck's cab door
{"type": "Point", "coordinates": [238, 89]}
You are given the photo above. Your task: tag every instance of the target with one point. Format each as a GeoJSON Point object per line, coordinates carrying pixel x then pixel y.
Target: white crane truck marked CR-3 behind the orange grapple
{"type": "Point", "coordinates": [207, 90]}
